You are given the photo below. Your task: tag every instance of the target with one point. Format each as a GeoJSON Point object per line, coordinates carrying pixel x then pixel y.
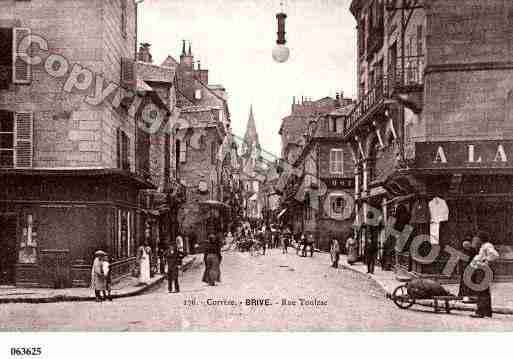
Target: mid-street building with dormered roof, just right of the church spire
{"type": "Point", "coordinates": [320, 194]}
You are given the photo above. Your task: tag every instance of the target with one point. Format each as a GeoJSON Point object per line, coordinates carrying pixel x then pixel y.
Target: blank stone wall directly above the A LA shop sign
{"type": "Point", "coordinates": [469, 80]}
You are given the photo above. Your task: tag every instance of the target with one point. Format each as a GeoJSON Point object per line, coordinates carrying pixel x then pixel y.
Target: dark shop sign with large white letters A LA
{"type": "Point", "coordinates": [464, 154]}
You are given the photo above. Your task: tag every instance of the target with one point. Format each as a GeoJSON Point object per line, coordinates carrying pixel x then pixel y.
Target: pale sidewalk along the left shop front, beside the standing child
{"type": "Point", "coordinates": [126, 287]}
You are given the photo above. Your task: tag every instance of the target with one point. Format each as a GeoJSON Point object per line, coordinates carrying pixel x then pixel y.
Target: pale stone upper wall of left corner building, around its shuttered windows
{"type": "Point", "coordinates": [67, 131]}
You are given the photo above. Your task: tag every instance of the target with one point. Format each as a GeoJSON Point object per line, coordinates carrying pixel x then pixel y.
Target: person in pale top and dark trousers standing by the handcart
{"type": "Point", "coordinates": [487, 254]}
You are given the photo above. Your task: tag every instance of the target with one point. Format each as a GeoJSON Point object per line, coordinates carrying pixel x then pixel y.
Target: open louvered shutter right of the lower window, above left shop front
{"type": "Point", "coordinates": [24, 131]}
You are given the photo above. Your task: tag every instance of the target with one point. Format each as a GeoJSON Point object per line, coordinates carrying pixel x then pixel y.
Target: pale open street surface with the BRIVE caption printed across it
{"type": "Point", "coordinates": [345, 301]}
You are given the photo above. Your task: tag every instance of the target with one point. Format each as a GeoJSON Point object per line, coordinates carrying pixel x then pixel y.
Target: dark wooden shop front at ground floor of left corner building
{"type": "Point", "coordinates": [52, 222]}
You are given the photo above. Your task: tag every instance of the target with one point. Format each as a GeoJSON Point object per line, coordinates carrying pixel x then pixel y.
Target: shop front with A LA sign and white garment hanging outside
{"type": "Point", "coordinates": [460, 188]}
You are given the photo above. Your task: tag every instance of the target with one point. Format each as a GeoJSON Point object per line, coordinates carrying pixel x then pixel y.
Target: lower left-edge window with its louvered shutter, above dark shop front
{"type": "Point", "coordinates": [16, 133]}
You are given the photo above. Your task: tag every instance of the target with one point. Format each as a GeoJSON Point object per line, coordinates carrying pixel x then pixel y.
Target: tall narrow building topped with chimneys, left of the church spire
{"type": "Point", "coordinates": [200, 149]}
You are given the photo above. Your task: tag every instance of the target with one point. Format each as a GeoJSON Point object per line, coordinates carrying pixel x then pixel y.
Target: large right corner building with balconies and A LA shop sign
{"type": "Point", "coordinates": [433, 125]}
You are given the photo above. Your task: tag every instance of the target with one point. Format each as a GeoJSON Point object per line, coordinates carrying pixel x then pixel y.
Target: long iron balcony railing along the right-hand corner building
{"type": "Point", "coordinates": [411, 76]}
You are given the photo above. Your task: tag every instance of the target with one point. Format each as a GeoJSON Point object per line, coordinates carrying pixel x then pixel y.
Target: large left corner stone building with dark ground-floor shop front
{"type": "Point", "coordinates": [71, 158]}
